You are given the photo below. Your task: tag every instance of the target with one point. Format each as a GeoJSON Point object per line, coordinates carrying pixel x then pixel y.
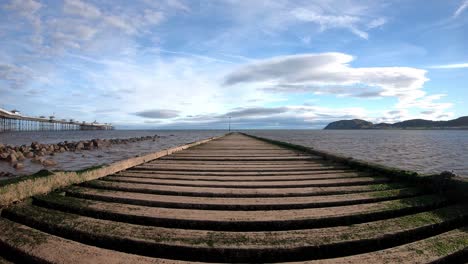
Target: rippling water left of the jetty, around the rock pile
{"type": "Point", "coordinates": [84, 159]}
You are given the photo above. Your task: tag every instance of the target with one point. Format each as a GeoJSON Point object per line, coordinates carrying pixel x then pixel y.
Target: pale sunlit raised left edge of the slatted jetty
{"type": "Point", "coordinates": [44, 181]}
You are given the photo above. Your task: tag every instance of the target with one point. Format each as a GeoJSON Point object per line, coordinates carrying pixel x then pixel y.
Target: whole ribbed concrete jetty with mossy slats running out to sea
{"type": "Point", "coordinates": [240, 199]}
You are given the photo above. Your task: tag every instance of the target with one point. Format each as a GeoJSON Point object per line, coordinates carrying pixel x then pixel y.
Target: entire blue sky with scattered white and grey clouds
{"type": "Point", "coordinates": [263, 64]}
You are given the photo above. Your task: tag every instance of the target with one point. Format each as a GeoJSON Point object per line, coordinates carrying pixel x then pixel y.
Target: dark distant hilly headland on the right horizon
{"type": "Point", "coordinates": [459, 123]}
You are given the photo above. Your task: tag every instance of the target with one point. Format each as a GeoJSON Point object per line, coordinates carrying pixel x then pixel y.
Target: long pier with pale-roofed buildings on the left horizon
{"type": "Point", "coordinates": [12, 121]}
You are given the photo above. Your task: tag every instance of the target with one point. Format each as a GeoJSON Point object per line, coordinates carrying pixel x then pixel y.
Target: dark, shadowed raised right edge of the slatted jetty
{"type": "Point", "coordinates": [453, 186]}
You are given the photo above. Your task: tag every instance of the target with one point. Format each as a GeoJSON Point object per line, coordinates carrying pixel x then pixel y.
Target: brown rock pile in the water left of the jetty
{"type": "Point", "coordinates": [38, 152]}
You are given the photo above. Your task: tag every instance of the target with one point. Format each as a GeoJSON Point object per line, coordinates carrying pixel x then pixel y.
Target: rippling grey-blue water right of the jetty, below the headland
{"type": "Point", "coordinates": [425, 151]}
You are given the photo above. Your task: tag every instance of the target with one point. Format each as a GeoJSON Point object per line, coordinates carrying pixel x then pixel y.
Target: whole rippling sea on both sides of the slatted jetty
{"type": "Point", "coordinates": [424, 151]}
